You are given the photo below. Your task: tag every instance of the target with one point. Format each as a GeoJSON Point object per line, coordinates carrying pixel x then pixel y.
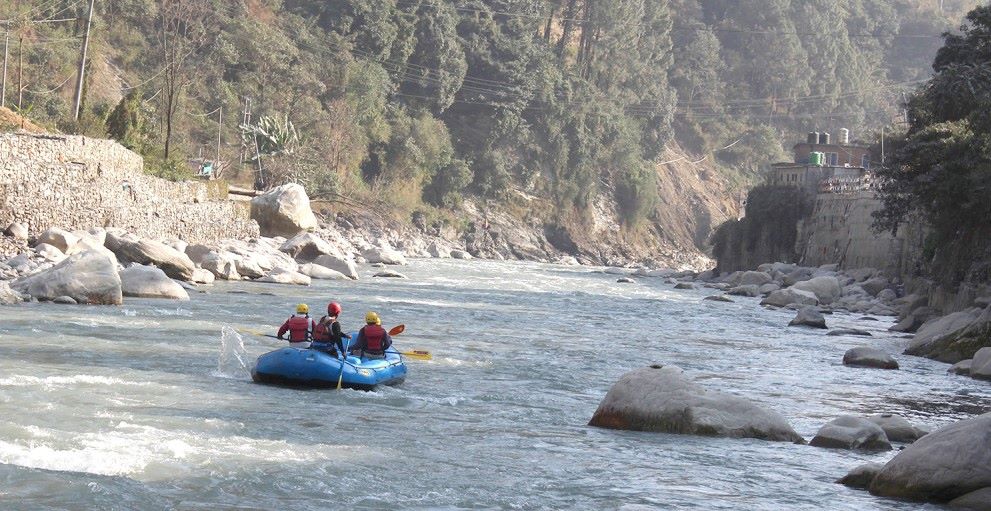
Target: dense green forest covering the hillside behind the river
{"type": "Point", "coordinates": [432, 100]}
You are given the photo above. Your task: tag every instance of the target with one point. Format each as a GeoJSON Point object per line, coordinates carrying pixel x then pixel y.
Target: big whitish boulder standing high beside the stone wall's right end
{"type": "Point", "coordinates": [283, 211]}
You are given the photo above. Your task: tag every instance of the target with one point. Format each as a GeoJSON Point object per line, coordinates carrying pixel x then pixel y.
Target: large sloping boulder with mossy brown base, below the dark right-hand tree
{"type": "Point", "coordinates": [953, 337]}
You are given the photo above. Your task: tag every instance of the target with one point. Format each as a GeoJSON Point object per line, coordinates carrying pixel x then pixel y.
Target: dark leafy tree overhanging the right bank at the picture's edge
{"type": "Point", "coordinates": [941, 167]}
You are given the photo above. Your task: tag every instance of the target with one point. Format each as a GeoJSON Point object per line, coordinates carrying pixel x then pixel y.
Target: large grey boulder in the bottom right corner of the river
{"type": "Point", "coordinates": [941, 466]}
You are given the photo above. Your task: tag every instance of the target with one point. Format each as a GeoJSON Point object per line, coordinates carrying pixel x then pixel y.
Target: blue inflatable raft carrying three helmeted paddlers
{"type": "Point", "coordinates": [316, 368]}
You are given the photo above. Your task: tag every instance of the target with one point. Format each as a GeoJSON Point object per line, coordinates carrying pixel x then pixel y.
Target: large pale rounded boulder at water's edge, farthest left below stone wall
{"type": "Point", "coordinates": [87, 277]}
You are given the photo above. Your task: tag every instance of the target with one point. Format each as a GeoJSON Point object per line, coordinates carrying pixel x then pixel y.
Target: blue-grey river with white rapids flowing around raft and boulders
{"type": "Point", "coordinates": [149, 406]}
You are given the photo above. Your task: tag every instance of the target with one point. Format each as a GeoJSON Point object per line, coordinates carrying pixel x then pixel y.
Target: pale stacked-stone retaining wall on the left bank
{"type": "Point", "coordinates": [76, 182]}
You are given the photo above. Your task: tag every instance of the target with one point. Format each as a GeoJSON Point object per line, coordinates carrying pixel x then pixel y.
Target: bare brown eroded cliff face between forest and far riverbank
{"type": "Point", "coordinates": [693, 200]}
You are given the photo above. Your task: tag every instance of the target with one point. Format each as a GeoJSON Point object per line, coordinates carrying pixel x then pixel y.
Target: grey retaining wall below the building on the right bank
{"type": "Point", "coordinates": [839, 231]}
